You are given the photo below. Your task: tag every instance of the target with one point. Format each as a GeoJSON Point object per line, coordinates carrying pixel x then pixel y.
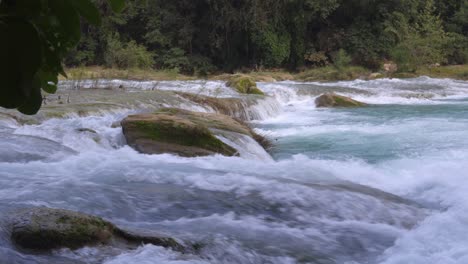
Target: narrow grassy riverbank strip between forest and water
{"type": "Point", "coordinates": [459, 72]}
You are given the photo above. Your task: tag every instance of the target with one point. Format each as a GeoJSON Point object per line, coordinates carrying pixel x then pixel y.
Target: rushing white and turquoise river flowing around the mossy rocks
{"type": "Point", "coordinates": [386, 183]}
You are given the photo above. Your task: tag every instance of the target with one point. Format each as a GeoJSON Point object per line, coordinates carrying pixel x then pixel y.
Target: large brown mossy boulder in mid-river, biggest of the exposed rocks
{"type": "Point", "coordinates": [181, 132]}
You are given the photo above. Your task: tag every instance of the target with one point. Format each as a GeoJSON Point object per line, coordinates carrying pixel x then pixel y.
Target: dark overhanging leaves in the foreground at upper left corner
{"type": "Point", "coordinates": [36, 36]}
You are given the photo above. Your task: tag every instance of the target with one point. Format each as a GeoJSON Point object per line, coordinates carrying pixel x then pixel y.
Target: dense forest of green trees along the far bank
{"type": "Point", "coordinates": [205, 36]}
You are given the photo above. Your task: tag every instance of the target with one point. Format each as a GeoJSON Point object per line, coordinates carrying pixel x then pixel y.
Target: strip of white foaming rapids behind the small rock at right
{"type": "Point", "coordinates": [421, 90]}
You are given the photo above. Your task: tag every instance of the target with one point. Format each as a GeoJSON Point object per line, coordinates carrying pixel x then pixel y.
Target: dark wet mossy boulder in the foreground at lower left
{"type": "Point", "coordinates": [45, 228]}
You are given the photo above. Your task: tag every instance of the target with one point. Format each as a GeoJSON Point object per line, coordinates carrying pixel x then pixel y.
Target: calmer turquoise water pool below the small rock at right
{"type": "Point", "coordinates": [372, 134]}
